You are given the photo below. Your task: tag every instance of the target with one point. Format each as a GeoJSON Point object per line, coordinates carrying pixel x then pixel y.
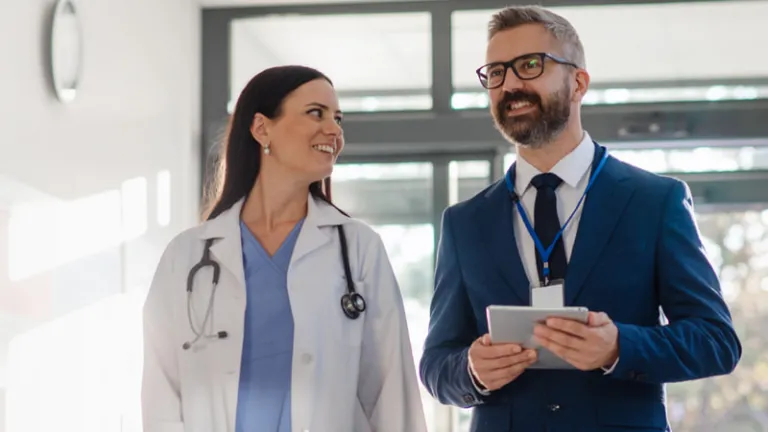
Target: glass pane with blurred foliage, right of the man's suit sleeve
{"type": "Point", "coordinates": [737, 244]}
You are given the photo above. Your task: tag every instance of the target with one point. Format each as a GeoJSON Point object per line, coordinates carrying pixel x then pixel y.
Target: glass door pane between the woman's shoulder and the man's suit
{"type": "Point", "coordinates": [396, 199]}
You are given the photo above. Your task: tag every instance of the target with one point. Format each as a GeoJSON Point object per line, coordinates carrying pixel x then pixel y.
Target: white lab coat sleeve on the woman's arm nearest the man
{"type": "Point", "coordinates": [388, 388]}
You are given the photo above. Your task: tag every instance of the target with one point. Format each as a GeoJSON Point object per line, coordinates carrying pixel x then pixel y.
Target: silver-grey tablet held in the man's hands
{"type": "Point", "coordinates": [514, 324]}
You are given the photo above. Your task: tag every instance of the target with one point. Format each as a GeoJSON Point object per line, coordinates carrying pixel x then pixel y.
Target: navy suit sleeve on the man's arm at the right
{"type": "Point", "coordinates": [699, 340]}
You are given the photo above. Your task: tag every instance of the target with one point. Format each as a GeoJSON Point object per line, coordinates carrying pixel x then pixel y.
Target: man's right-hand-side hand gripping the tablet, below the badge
{"type": "Point", "coordinates": [585, 346]}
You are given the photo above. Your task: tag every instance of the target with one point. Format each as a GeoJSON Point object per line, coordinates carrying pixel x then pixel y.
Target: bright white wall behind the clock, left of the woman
{"type": "Point", "coordinates": [80, 232]}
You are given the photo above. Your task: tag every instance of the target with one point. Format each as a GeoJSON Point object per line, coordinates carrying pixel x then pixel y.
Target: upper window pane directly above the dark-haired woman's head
{"type": "Point", "coordinates": [360, 53]}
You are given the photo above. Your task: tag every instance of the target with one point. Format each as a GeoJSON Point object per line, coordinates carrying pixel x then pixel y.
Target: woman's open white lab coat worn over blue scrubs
{"type": "Point", "coordinates": [347, 375]}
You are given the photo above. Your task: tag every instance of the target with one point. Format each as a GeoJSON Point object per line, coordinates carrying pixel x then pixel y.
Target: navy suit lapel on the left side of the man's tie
{"type": "Point", "coordinates": [497, 234]}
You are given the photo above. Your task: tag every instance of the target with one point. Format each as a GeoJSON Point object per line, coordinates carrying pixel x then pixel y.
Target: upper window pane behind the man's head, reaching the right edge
{"type": "Point", "coordinates": [660, 51]}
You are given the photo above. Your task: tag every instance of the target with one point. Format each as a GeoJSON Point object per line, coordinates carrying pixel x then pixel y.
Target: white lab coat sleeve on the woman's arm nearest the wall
{"type": "Point", "coordinates": [160, 389]}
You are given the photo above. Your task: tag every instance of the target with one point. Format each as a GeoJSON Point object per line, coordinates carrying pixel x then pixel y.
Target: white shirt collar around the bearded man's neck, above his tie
{"type": "Point", "coordinates": [570, 169]}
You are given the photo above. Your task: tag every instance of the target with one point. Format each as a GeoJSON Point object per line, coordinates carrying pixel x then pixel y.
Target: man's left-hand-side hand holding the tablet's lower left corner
{"type": "Point", "coordinates": [494, 366]}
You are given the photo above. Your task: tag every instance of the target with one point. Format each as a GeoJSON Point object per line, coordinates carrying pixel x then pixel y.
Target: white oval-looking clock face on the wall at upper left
{"type": "Point", "coordinates": [65, 50]}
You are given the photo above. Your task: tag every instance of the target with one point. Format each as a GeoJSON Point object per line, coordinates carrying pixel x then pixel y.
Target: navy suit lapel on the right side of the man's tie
{"type": "Point", "coordinates": [603, 208]}
